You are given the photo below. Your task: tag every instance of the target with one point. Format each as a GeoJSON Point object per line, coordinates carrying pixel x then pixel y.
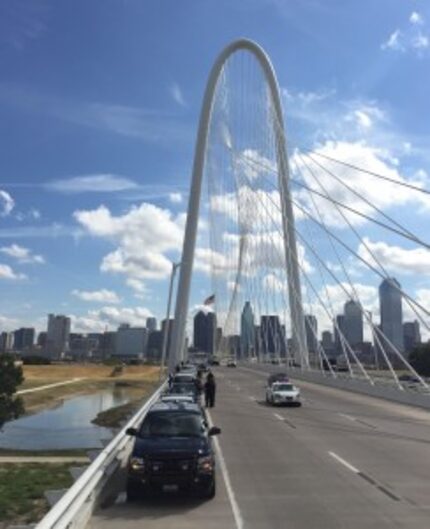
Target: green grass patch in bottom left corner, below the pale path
{"type": "Point", "coordinates": [22, 488]}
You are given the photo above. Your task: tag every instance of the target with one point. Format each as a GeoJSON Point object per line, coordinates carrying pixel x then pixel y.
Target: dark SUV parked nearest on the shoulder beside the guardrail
{"type": "Point", "coordinates": [173, 449]}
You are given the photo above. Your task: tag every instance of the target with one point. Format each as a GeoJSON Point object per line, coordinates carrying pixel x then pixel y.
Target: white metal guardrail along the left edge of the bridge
{"type": "Point", "coordinates": [75, 507]}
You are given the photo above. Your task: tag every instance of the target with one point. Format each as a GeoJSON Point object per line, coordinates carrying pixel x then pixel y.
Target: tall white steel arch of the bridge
{"type": "Point", "coordinates": [176, 350]}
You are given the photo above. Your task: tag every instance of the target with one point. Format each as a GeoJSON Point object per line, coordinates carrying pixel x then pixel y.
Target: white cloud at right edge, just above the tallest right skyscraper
{"type": "Point", "coordinates": [397, 259]}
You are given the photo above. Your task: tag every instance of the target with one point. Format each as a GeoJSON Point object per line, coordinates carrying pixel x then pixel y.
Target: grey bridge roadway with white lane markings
{"type": "Point", "coordinates": [340, 461]}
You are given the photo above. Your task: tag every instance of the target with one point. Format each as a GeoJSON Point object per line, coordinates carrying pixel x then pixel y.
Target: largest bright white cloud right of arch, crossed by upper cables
{"type": "Point", "coordinates": [381, 193]}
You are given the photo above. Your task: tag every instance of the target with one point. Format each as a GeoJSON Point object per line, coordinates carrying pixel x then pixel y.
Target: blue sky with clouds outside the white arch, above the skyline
{"type": "Point", "coordinates": [99, 103]}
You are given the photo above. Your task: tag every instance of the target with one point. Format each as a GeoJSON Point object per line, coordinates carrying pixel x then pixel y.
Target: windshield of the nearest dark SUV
{"type": "Point", "coordinates": [172, 424]}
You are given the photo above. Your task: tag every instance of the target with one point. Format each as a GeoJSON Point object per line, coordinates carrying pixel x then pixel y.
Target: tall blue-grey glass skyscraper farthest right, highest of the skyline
{"type": "Point", "coordinates": [390, 302]}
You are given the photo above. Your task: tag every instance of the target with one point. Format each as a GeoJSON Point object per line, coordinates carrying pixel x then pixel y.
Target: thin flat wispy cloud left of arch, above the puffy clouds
{"type": "Point", "coordinates": [97, 183]}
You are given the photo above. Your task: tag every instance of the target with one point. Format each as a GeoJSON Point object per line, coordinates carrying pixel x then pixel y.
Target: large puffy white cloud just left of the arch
{"type": "Point", "coordinates": [143, 235]}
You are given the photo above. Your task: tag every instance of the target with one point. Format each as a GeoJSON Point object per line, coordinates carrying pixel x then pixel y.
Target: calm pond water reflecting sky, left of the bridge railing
{"type": "Point", "coordinates": [66, 426]}
